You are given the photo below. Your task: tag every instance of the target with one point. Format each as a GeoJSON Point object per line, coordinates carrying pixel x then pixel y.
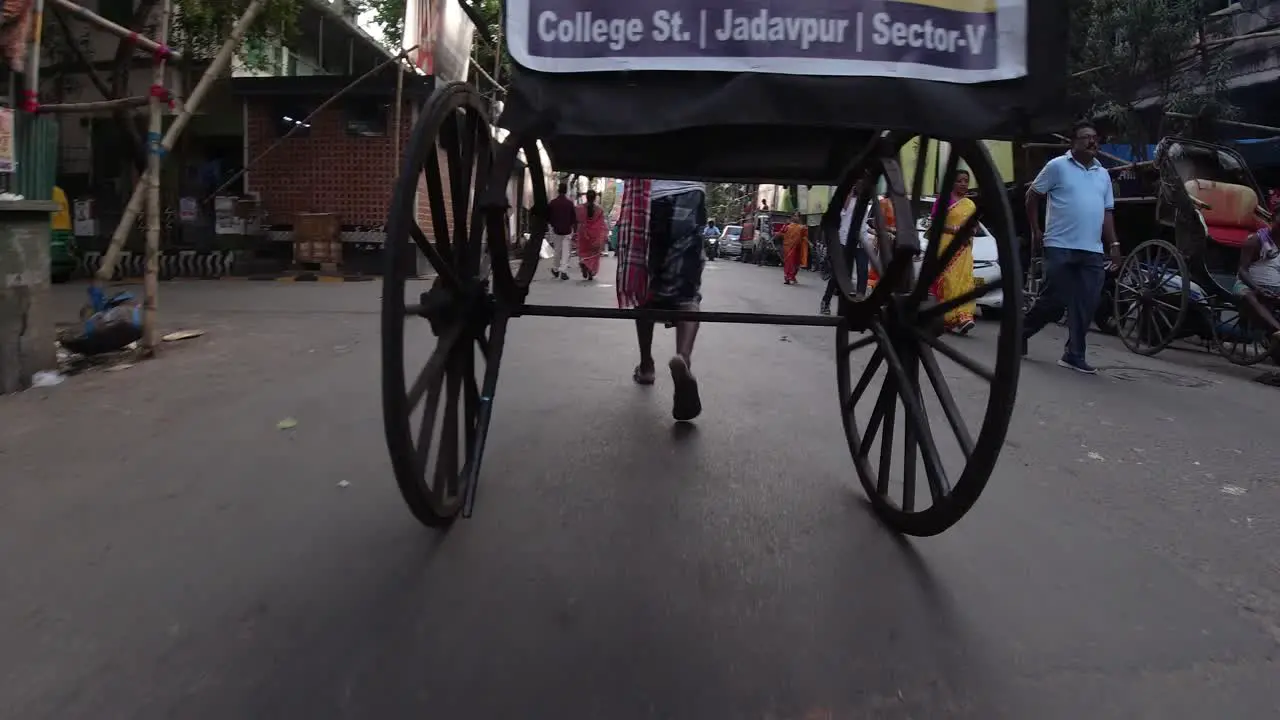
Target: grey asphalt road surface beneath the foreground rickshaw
{"type": "Point", "coordinates": [167, 552]}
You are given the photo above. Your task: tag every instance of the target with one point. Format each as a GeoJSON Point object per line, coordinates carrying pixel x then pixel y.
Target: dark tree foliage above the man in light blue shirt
{"type": "Point", "coordinates": [1124, 54]}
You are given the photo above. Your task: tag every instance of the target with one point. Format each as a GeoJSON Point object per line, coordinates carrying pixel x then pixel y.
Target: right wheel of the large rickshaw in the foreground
{"type": "Point", "coordinates": [913, 399]}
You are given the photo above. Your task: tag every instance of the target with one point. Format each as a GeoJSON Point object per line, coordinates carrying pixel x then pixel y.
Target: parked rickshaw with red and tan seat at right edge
{"type": "Point", "coordinates": [1181, 285]}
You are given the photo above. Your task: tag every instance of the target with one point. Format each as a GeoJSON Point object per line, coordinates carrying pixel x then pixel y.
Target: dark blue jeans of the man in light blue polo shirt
{"type": "Point", "coordinates": [1075, 286]}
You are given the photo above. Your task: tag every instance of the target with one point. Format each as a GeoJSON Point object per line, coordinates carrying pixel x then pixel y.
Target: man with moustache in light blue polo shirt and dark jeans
{"type": "Point", "coordinates": [1080, 218]}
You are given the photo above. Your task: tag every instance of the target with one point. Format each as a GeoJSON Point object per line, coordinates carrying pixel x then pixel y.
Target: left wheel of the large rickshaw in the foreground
{"type": "Point", "coordinates": [437, 413]}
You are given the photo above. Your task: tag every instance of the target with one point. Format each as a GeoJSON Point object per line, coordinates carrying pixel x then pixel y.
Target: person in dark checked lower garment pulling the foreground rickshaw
{"type": "Point", "coordinates": [661, 266]}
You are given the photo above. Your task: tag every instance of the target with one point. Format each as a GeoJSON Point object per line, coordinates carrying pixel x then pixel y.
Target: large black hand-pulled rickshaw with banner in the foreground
{"type": "Point", "coordinates": [820, 94]}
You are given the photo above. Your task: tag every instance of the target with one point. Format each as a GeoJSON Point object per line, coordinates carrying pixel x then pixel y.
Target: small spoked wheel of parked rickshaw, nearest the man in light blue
{"type": "Point", "coordinates": [1151, 298]}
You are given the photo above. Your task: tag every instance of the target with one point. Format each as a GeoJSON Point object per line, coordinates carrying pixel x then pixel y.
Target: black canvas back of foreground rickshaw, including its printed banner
{"type": "Point", "coordinates": [643, 116]}
